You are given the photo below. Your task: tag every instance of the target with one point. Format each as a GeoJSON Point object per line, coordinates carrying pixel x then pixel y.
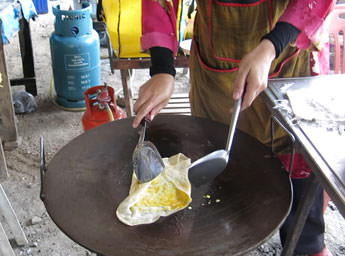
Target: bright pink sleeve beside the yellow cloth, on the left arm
{"type": "Point", "coordinates": [159, 25]}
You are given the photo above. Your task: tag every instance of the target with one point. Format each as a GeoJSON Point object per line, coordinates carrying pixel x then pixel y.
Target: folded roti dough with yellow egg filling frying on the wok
{"type": "Point", "coordinates": [168, 193]}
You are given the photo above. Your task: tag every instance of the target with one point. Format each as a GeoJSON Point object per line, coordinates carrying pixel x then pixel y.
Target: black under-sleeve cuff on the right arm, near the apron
{"type": "Point", "coordinates": [282, 34]}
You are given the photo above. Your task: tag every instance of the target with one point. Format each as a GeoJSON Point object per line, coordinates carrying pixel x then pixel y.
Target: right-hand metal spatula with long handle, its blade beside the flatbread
{"type": "Point", "coordinates": [208, 167]}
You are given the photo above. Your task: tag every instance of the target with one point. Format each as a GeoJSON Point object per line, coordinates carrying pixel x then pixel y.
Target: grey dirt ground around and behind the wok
{"type": "Point", "coordinates": [58, 127]}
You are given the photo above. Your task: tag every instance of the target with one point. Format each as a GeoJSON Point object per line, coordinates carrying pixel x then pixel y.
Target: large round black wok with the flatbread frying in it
{"type": "Point", "coordinates": [87, 179]}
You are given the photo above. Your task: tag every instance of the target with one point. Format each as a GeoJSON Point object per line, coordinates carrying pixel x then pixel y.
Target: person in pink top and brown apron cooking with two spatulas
{"type": "Point", "coordinates": [237, 46]}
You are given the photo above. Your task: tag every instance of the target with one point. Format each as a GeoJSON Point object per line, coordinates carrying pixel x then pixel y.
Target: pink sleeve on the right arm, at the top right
{"type": "Point", "coordinates": [308, 16]}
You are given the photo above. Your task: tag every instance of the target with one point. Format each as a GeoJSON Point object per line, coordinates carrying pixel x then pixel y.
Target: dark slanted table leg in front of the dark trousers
{"type": "Point", "coordinates": [302, 212]}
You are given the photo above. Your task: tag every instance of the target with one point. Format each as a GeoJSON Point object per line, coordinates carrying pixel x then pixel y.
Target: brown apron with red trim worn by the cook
{"type": "Point", "coordinates": [224, 32]}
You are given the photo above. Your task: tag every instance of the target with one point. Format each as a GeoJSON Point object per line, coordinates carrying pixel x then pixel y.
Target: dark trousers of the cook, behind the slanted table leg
{"type": "Point", "coordinates": [311, 240]}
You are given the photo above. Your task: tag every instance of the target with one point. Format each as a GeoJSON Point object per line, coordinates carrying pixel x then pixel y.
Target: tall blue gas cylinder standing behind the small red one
{"type": "Point", "coordinates": [75, 53]}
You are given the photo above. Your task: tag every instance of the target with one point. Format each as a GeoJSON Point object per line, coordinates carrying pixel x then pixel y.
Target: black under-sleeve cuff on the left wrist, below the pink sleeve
{"type": "Point", "coordinates": [162, 61]}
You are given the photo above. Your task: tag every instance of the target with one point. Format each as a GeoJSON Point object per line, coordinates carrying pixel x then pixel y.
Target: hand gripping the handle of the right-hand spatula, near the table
{"type": "Point", "coordinates": [253, 73]}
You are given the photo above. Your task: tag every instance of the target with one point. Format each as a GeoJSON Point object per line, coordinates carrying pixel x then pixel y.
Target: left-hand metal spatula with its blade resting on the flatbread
{"type": "Point", "coordinates": [147, 162]}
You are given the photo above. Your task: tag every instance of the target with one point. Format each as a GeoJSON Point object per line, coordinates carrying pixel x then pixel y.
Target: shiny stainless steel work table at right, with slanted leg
{"type": "Point", "coordinates": [322, 148]}
